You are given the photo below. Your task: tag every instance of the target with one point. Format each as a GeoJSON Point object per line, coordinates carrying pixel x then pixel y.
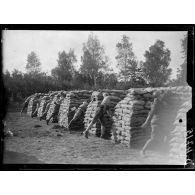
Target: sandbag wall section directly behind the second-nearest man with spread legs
{"type": "Point", "coordinates": [116, 96]}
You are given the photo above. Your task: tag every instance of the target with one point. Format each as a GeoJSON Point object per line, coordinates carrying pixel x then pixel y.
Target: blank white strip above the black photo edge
{"type": "Point", "coordinates": [99, 11]}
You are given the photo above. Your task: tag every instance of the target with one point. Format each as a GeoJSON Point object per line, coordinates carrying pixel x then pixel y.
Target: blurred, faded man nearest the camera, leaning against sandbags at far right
{"type": "Point", "coordinates": [159, 120]}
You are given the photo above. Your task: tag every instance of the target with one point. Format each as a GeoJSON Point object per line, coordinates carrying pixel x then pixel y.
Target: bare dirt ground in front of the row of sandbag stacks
{"type": "Point", "coordinates": [35, 142]}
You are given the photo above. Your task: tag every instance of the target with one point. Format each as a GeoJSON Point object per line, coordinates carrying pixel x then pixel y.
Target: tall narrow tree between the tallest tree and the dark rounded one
{"type": "Point", "coordinates": [126, 60]}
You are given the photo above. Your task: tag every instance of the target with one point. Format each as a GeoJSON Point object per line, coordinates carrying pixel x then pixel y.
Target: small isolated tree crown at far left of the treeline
{"type": "Point", "coordinates": [33, 65]}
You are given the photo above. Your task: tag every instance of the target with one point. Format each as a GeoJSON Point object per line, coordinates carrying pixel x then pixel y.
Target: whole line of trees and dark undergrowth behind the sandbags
{"type": "Point", "coordinates": [95, 72]}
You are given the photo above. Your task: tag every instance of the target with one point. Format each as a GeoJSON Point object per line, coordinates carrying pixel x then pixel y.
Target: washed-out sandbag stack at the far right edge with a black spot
{"type": "Point", "coordinates": [179, 132]}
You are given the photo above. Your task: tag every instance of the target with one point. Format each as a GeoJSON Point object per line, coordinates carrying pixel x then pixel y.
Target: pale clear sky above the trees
{"type": "Point", "coordinates": [17, 44]}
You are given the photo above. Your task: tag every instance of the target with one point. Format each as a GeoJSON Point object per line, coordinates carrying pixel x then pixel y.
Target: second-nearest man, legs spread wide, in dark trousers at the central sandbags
{"type": "Point", "coordinates": [103, 109]}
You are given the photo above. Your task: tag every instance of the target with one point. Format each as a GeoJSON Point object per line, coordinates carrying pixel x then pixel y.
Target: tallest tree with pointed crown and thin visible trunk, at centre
{"type": "Point", "coordinates": [94, 59]}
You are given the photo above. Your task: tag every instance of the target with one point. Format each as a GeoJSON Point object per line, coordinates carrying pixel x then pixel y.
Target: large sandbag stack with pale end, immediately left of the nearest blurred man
{"type": "Point", "coordinates": [129, 115]}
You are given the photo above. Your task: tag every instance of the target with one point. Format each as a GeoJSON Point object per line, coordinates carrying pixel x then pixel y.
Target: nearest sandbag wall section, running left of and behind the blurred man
{"type": "Point", "coordinates": [132, 112]}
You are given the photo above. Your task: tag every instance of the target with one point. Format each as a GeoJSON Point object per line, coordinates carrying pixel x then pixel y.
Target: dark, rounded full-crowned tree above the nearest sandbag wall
{"type": "Point", "coordinates": [155, 68]}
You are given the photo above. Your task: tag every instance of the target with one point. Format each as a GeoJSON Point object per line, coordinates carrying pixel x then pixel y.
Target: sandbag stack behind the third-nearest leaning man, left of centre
{"type": "Point", "coordinates": [73, 100]}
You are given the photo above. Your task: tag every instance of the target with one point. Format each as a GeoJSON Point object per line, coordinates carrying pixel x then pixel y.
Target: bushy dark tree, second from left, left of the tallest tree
{"type": "Point", "coordinates": [64, 71]}
